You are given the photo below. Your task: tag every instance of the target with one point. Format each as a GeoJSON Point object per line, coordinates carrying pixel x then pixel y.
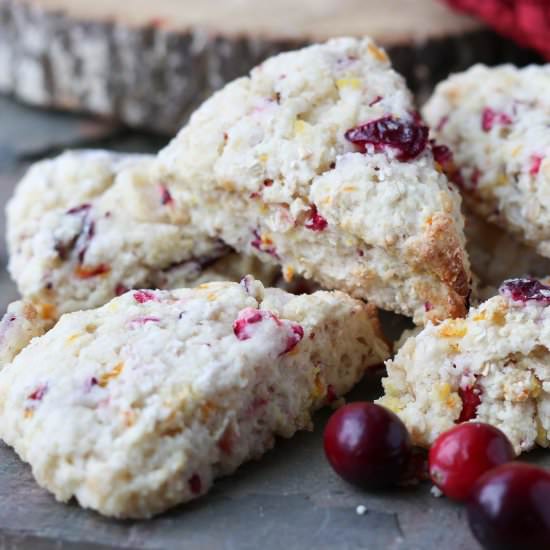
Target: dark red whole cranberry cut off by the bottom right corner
{"type": "Point", "coordinates": [508, 508]}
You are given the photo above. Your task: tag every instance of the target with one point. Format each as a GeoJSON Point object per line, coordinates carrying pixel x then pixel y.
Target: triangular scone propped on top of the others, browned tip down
{"type": "Point", "coordinates": [277, 164]}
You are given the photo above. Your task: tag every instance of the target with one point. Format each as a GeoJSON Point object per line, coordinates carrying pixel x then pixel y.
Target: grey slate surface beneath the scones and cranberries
{"type": "Point", "coordinates": [291, 499]}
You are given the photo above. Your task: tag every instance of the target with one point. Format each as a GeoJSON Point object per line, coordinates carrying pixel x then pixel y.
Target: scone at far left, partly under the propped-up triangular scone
{"type": "Point", "coordinates": [89, 225]}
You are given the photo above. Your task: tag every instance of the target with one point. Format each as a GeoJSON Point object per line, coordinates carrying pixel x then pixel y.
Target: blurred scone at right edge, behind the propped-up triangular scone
{"type": "Point", "coordinates": [496, 122]}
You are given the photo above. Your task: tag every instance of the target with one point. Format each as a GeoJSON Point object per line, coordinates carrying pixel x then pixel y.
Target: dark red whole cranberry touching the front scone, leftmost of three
{"type": "Point", "coordinates": [367, 445]}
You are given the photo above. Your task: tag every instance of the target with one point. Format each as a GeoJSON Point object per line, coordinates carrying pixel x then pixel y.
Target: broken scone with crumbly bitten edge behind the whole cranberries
{"type": "Point", "coordinates": [493, 366]}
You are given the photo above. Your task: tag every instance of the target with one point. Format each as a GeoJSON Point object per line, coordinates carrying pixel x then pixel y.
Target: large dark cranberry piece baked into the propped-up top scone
{"type": "Point", "coordinates": [409, 138]}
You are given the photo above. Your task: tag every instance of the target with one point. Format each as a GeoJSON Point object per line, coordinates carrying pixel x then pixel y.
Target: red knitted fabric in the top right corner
{"type": "Point", "coordinates": [525, 21]}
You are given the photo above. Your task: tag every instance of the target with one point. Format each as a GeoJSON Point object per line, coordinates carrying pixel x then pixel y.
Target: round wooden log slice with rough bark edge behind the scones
{"type": "Point", "coordinates": [149, 63]}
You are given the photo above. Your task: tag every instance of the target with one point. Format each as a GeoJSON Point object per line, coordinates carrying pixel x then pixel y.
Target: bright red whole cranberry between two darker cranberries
{"type": "Point", "coordinates": [464, 453]}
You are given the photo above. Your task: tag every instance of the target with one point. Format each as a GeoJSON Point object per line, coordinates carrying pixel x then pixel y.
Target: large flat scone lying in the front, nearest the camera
{"type": "Point", "coordinates": [137, 406]}
